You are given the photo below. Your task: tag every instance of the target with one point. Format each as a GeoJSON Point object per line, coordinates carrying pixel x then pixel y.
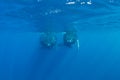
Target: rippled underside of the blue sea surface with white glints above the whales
{"type": "Point", "coordinates": [33, 15]}
